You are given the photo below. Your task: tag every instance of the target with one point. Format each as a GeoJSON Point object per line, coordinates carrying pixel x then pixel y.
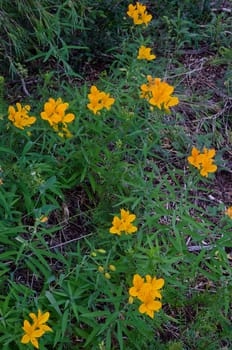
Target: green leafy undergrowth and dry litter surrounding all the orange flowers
{"type": "Point", "coordinates": [58, 196]}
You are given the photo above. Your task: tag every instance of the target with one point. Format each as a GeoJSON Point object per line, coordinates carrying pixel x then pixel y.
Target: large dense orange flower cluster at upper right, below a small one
{"type": "Point", "coordinates": [158, 93]}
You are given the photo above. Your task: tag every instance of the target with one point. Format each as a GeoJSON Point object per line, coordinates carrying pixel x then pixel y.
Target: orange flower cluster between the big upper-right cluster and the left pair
{"type": "Point", "coordinates": [98, 100]}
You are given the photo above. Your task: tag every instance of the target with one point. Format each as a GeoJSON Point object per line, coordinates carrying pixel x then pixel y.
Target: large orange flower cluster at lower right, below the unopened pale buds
{"type": "Point", "coordinates": [148, 293]}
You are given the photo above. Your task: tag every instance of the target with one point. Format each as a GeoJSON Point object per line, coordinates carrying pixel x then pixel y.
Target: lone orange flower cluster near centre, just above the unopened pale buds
{"type": "Point", "coordinates": [123, 224]}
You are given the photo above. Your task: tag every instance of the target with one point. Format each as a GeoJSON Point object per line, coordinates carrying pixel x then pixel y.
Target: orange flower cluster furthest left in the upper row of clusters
{"type": "Point", "coordinates": [20, 117]}
